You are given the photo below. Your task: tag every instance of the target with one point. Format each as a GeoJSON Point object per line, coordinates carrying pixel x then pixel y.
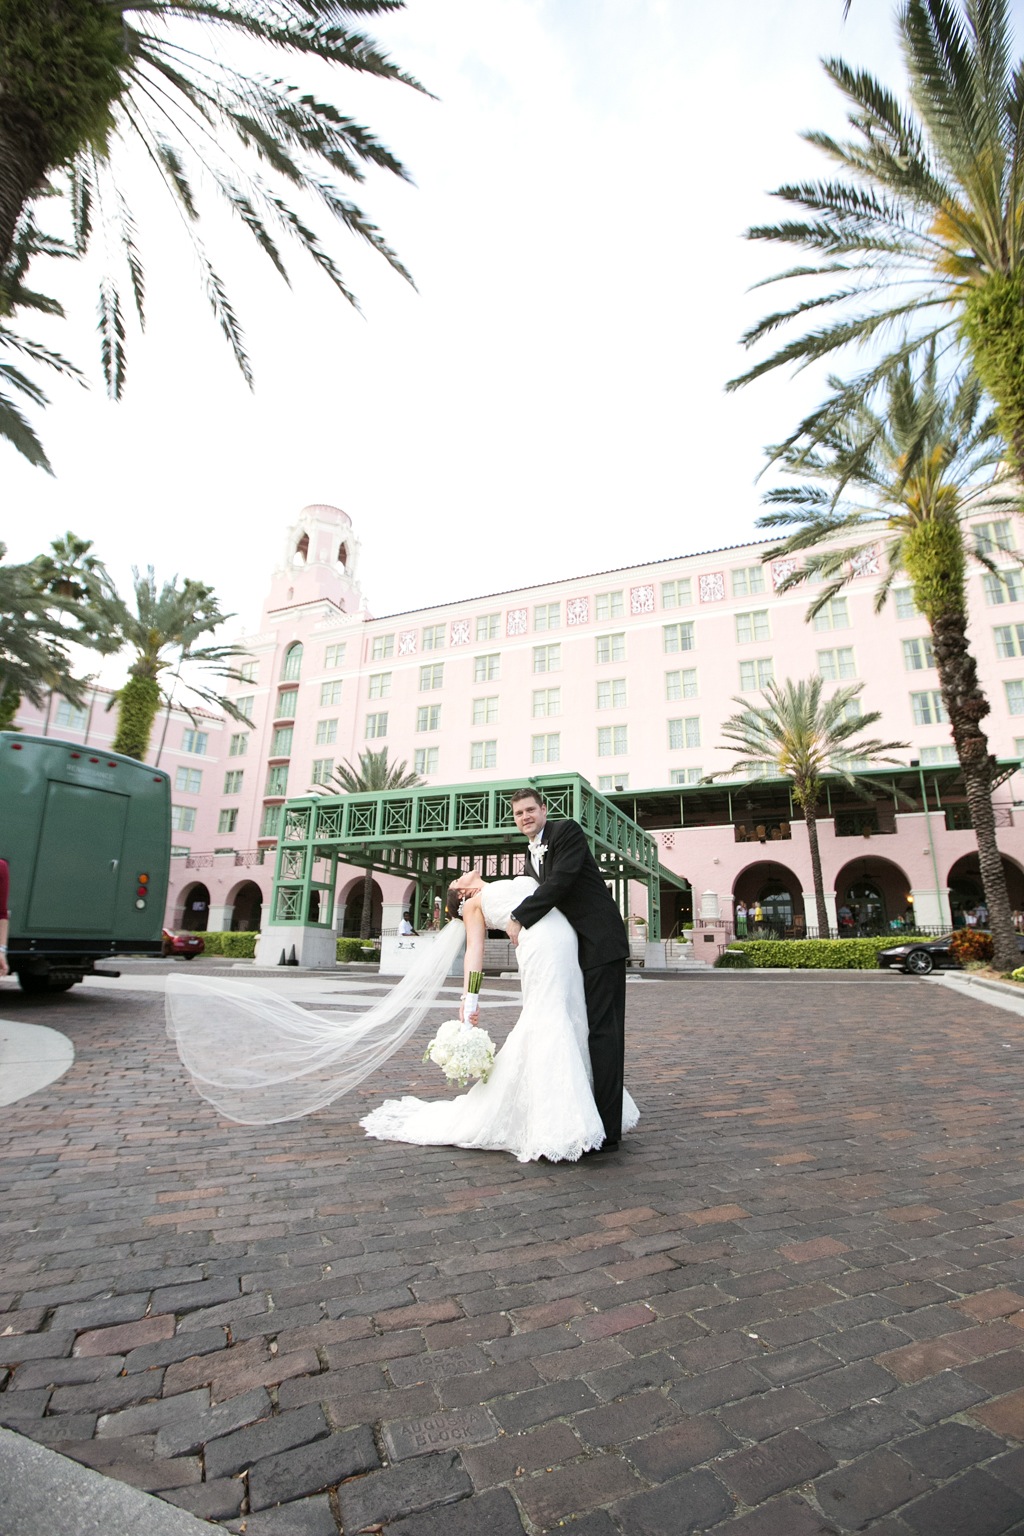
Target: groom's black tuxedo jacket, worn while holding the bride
{"type": "Point", "coordinates": [572, 881]}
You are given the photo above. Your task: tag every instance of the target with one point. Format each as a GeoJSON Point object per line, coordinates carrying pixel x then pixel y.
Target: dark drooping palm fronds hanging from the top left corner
{"type": "Point", "coordinates": [82, 82]}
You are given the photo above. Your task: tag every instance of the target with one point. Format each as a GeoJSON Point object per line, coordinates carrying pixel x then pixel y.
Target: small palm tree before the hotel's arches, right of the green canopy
{"type": "Point", "coordinates": [799, 735]}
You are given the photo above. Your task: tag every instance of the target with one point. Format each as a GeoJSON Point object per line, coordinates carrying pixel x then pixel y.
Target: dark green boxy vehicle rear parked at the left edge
{"type": "Point", "coordinates": [87, 835]}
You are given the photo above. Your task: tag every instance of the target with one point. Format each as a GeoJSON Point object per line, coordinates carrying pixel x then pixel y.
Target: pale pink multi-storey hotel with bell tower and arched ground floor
{"type": "Point", "coordinates": [621, 677]}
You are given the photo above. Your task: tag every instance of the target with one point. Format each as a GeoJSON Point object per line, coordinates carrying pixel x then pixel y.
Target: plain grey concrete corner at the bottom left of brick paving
{"type": "Point", "coordinates": [45, 1492]}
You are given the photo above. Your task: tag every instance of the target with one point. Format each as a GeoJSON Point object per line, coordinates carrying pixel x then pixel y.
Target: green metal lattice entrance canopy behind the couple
{"type": "Point", "coordinates": [431, 835]}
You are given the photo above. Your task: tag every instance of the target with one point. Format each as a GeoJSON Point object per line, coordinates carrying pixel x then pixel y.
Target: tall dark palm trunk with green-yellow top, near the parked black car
{"type": "Point", "coordinates": [937, 566]}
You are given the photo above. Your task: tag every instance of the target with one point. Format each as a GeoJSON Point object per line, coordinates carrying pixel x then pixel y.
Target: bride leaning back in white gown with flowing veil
{"type": "Point", "coordinates": [262, 1059]}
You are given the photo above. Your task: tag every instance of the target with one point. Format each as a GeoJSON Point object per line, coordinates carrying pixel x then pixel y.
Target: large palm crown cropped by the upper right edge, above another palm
{"type": "Point", "coordinates": [922, 236]}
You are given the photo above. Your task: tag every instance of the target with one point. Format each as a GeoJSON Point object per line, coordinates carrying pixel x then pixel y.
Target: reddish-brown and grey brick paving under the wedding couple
{"type": "Point", "coordinates": [793, 1305]}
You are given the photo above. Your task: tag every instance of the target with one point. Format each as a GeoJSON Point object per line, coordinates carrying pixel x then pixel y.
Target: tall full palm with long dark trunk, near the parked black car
{"type": "Point", "coordinates": [927, 460]}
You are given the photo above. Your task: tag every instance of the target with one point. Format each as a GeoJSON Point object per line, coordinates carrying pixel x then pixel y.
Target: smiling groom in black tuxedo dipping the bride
{"type": "Point", "coordinates": [572, 881]}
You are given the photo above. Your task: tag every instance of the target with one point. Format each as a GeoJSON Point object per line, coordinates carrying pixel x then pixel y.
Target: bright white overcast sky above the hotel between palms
{"type": "Point", "coordinates": [552, 400]}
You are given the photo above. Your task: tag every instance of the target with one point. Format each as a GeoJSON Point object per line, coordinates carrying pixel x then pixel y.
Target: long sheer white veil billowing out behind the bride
{"type": "Point", "coordinates": [260, 1059]}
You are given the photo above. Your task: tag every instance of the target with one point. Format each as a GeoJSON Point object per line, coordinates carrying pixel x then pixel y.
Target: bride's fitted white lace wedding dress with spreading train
{"type": "Point", "coordinates": [538, 1101]}
